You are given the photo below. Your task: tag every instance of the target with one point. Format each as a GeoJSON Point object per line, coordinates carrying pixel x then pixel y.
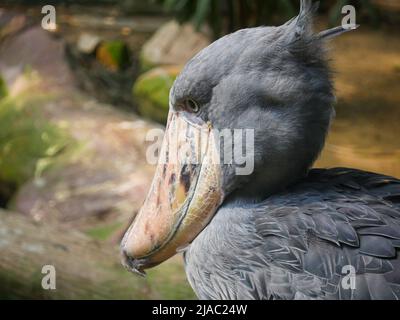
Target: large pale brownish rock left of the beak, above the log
{"type": "Point", "coordinates": [107, 176]}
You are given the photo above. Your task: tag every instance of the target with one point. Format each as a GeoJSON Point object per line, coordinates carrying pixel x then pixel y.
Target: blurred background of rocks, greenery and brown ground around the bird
{"type": "Point", "coordinates": [76, 103]}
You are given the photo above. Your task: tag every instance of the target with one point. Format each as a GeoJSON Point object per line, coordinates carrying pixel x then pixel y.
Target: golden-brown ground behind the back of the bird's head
{"type": "Point", "coordinates": [366, 131]}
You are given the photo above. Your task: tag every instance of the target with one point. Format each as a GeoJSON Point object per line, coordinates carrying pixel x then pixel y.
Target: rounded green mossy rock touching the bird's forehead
{"type": "Point", "coordinates": [151, 92]}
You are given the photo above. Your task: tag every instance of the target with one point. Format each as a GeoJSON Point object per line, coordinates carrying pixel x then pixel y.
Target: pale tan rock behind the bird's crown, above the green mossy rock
{"type": "Point", "coordinates": [172, 44]}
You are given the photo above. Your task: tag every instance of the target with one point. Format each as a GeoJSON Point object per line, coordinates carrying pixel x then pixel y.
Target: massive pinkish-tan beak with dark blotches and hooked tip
{"type": "Point", "coordinates": [184, 195]}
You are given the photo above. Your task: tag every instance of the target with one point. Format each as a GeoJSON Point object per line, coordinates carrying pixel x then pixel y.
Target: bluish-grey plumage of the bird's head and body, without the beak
{"type": "Point", "coordinates": [285, 232]}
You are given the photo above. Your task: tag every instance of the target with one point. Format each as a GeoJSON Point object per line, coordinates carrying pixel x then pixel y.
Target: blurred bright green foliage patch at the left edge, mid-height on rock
{"type": "Point", "coordinates": [28, 143]}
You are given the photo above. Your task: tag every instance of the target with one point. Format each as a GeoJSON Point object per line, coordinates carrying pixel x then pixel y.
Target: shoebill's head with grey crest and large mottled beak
{"type": "Point", "coordinates": [248, 114]}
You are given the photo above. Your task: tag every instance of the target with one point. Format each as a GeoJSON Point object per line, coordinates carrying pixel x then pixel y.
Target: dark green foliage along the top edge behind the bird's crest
{"type": "Point", "coordinates": [225, 16]}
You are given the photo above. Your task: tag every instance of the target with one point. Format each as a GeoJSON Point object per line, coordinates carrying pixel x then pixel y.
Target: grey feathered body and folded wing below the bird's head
{"type": "Point", "coordinates": [295, 244]}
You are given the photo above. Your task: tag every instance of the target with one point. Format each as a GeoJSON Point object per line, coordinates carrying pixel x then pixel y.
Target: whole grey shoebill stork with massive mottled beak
{"type": "Point", "coordinates": [284, 231]}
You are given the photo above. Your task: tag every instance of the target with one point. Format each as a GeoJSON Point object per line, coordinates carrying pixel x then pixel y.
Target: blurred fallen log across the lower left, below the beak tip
{"type": "Point", "coordinates": [85, 268]}
